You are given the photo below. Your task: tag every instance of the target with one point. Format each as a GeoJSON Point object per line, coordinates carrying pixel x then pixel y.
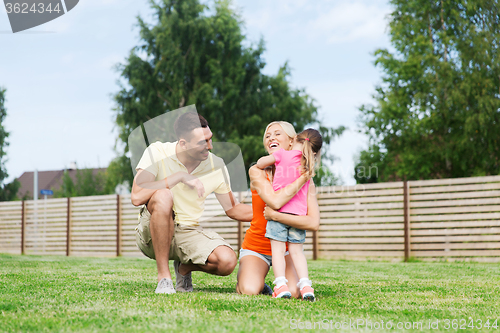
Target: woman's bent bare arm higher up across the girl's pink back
{"type": "Point", "coordinates": [264, 188]}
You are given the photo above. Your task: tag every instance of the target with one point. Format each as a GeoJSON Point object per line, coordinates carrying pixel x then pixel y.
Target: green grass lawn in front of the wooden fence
{"type": "Point", "coordinates": [43, 293]}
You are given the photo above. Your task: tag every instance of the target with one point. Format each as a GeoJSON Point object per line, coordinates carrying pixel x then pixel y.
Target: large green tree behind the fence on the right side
{"type": "Point", "coordinates": [437, 111]}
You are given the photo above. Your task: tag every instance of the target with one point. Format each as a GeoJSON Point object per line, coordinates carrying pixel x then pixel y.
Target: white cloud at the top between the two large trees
{"type": "Point", "coordinates": [325, 20]}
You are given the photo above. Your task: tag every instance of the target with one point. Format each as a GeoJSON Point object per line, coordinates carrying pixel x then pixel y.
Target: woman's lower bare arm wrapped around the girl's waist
{"type": "Point", "coordinates": [307, 222]}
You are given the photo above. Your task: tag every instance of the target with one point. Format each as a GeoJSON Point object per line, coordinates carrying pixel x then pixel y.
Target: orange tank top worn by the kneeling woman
{"type": "Point", "coordinates": [254, 238]}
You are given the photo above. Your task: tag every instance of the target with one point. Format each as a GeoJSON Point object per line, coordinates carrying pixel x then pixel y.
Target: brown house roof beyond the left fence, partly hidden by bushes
{"type": "Point", "coordinates": [47, 180]}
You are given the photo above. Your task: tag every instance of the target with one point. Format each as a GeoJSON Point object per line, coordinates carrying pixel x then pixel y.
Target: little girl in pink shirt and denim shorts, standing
{"type": "Point", "coordinates": [290, 164]}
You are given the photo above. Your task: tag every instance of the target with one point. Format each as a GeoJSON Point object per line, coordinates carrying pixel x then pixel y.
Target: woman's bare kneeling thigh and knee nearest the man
{"type": "Point", "coordinates": [251, 274]}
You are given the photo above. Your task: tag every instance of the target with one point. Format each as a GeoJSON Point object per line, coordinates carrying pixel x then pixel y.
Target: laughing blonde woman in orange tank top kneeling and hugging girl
{"type": "Point", "coordinates": [255, 255]}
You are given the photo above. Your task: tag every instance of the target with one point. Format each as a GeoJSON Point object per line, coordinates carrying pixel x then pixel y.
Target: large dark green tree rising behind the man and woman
{"type": "Point", "coordinates": [196, 56]}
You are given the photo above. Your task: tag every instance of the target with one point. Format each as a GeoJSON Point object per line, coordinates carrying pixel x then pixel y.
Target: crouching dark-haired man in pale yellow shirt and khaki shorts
{"type": "Point", "coordinates": [172, 182]}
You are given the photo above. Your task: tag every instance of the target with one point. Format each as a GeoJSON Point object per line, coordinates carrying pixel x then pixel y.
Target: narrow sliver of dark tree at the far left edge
{"type": "Point", "coordinates": [7, 191]}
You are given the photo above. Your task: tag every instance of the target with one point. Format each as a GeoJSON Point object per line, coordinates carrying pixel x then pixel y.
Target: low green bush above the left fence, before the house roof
{"type": "Point", "coordinates": [86, 184]}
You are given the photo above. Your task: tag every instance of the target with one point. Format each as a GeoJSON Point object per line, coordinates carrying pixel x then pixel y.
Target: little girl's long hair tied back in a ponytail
{"type": "Point", "coordinates": [311, 150]}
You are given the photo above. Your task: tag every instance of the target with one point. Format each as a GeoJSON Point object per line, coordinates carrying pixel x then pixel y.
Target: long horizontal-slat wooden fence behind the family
{"type": "Point", "coordinates": [453, 219]}
